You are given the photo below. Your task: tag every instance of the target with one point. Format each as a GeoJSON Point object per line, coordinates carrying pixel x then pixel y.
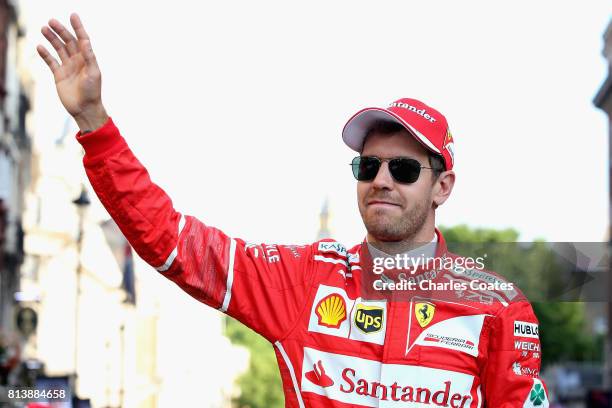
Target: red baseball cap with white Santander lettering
{"type": "Point", "coordinates": [425, 123]}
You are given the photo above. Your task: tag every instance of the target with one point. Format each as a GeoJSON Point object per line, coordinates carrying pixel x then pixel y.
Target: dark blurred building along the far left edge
{"type": "Point", "coordinates": [14, 175]}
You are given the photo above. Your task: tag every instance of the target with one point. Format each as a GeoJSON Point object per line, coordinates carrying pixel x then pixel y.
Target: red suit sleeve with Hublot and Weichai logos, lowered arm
{"type": "Point", "coordinates": [512, 368]}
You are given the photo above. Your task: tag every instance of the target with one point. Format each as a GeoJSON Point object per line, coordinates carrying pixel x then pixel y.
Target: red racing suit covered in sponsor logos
{"type": "Point", "coordinates": [334, 348]}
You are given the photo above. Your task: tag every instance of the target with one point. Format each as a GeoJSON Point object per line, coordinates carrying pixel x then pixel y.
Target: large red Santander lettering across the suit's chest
{"type": "Point", "coordinates": [441, 396]}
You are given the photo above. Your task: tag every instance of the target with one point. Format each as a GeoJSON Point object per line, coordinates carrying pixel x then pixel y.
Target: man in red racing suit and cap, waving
{"type": "Point", "coordinates": [339, 340]}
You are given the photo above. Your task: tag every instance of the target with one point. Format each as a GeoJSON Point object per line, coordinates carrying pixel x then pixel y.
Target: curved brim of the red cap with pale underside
{"type": "Point", "coordinates": [357, 127]}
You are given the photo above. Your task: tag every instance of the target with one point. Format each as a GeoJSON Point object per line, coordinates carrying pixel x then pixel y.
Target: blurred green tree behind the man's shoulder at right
{"type": "Point", "coordinates": [535, 269]}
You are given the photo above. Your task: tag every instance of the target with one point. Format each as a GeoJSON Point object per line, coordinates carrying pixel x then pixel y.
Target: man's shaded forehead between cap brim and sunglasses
{"type": "Point", "coordinates": [394, 144]}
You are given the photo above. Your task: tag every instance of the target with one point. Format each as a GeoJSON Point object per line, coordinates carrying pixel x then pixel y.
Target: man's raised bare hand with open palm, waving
{"type": "Point", "coordinates": [78, 79]}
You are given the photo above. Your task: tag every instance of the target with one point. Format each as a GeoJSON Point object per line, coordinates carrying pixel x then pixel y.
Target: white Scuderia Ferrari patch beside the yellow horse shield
{"type": "Point", "coordinates": [457, 333]}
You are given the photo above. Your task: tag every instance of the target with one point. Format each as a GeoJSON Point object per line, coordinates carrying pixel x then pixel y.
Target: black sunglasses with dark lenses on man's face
{"type": "Point", "coordinates": [402, 169]}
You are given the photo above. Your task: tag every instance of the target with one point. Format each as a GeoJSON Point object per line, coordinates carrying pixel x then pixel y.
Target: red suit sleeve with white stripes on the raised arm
{"type": "Point", "coordinates": [263, 286]}
